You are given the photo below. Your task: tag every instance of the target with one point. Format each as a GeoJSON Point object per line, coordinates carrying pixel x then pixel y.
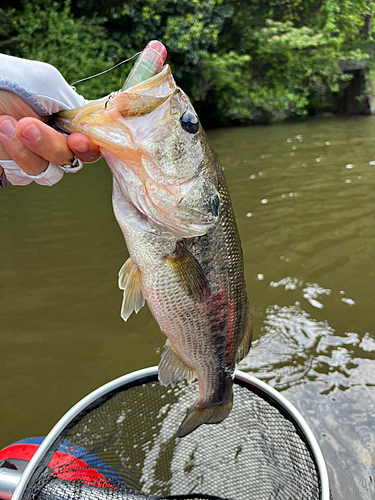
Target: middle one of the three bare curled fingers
{"type": "Point", "coordinates": [44, 141]}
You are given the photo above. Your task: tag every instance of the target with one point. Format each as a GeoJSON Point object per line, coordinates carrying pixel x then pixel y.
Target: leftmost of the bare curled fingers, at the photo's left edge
{"type": "Point", "coordinates": [30, 163]}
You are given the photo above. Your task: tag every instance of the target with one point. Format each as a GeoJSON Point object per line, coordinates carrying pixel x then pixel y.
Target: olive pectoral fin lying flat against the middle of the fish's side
{"type": "Point", "coordinates": [189, 273]}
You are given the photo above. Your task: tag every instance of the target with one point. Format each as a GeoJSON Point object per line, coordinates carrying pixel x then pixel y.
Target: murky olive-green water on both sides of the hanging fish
{"type": "Point", "coordinates": [304, 198]}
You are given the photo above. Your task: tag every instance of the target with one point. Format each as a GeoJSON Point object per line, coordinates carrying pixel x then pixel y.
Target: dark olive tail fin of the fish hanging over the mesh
{"type": "Point", "coordinates": [197, 416]}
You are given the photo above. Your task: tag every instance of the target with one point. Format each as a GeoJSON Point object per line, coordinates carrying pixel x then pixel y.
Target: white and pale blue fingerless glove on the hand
{"type": "Point", "coordinates": [46, 91]}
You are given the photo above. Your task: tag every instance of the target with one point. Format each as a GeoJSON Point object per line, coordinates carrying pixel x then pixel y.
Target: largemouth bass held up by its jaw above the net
{"type": "Point", "coordinates": [172, 203]}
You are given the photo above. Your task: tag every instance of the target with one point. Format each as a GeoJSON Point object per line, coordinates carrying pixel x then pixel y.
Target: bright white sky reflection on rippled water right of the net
{"type": "Point", "coordinates": [329, 378]}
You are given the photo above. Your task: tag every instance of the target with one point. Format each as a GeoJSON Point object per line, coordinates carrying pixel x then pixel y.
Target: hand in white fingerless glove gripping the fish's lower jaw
{"type": "Point", "coordinates": [30, 150]}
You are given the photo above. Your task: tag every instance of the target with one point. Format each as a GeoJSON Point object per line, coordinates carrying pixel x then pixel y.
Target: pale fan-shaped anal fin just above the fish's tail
{"type": "Point", "coordinates": [171, 367]}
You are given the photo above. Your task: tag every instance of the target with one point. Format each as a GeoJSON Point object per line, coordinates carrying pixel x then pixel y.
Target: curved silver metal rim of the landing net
{"type": "Point", "coordinates": [151, 373]}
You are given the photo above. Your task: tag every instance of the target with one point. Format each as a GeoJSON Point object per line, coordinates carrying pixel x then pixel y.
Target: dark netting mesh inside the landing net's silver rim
{"type": "Point", "coordinates": [124, 446]}
